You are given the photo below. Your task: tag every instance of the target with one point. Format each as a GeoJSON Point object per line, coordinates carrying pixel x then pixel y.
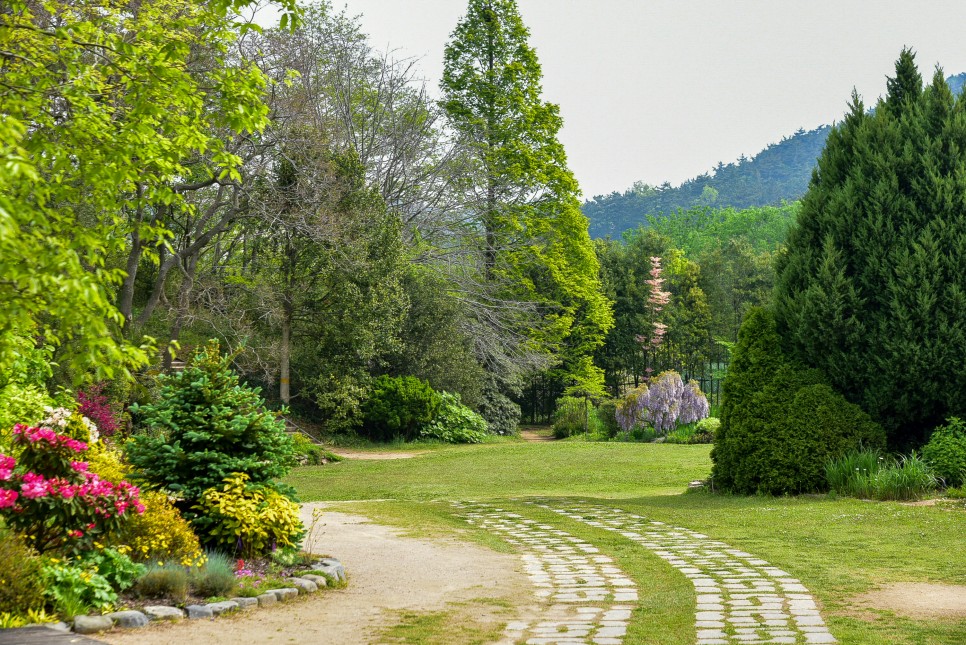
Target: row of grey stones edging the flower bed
{"type": "Point", "coordinates": [133, 619]}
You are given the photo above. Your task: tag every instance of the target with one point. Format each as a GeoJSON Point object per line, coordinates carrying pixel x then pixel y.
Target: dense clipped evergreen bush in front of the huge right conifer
{"type": "Point", "coordinates": [780, 423]}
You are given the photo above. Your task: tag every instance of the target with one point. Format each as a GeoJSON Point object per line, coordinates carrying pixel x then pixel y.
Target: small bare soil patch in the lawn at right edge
{"type": "Point", "coordinates": [917, 600]}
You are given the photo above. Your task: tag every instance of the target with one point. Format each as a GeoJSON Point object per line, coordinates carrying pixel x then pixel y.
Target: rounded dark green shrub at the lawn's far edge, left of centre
{"type": "Point", "coordinates": [399, 407]}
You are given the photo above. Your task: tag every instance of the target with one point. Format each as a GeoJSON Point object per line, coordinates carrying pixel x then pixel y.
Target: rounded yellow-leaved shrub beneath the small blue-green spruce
{"type": "Point", "coordinates": [246, 519]}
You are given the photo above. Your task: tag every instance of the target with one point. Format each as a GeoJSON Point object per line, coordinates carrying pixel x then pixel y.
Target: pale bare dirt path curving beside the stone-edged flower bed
{"type": "Point", "coordinates": [388, 574]}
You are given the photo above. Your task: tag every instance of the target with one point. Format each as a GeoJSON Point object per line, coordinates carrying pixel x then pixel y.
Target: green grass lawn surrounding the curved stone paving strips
{"type": "Point", "coordinates": [839, 548]}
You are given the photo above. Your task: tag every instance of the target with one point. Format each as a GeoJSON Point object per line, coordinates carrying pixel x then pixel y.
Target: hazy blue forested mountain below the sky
{"type": "Point", "coordinates": [778, 173]}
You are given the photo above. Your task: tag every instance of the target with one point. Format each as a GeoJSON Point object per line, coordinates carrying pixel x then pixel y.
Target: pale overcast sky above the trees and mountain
{"type": "Point", "coordinates": [662, 90]}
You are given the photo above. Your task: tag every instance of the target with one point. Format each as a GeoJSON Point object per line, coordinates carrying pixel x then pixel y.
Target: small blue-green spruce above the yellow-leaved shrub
{"type": "Point", "coordinates": [205, 427]}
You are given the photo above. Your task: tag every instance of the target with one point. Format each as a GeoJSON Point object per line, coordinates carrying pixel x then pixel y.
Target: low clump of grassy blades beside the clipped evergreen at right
{"type": "Point", "coordinates": [867, 474]}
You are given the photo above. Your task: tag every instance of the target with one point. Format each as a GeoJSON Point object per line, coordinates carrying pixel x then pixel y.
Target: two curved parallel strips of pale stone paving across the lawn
{"type": "Point", "coordinates": [740, 598]}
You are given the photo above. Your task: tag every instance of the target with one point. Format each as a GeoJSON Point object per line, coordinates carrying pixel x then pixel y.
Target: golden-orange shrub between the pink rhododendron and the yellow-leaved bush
{"type": "Point", "coordinates": [161, 534]}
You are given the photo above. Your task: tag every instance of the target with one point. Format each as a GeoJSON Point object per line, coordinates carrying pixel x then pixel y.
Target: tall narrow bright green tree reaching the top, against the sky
{"type": "Point", "coordinates": [534, 243]}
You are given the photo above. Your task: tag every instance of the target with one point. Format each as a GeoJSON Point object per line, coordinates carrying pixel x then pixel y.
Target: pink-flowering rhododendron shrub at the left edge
{"type": "Point", "coordinates": [52, 498]}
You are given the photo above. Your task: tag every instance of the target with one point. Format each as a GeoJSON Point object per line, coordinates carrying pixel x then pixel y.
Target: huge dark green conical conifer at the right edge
{"type": "Point", "coordinates": [872, 286]}
